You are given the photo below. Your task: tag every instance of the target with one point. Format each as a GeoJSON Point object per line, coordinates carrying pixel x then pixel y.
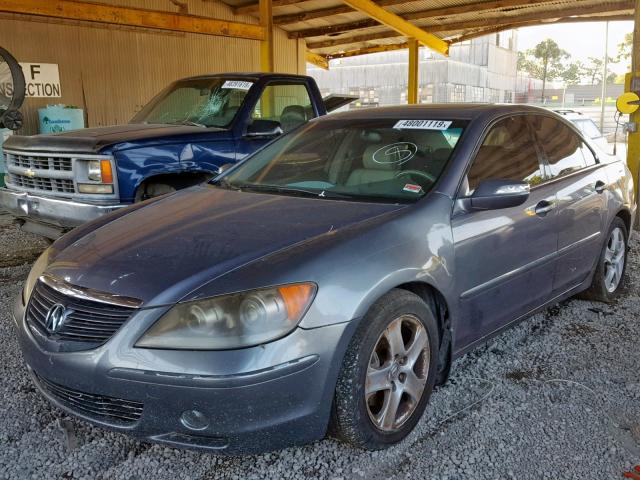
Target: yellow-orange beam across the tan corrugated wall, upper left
{"type": "Point", "coordinates": [133, 17]}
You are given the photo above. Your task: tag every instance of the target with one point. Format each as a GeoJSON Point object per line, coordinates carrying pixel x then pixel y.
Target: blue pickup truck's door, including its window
{"type": "Point", "coordinates": [282, 107]}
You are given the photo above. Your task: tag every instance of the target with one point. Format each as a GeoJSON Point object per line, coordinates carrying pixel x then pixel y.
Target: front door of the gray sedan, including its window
{"type": "Point", "coordinates": [504, 259]}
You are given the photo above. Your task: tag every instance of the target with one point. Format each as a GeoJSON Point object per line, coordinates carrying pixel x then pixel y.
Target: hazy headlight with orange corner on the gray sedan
{"type": "Point", "coordinates": [231, 321]}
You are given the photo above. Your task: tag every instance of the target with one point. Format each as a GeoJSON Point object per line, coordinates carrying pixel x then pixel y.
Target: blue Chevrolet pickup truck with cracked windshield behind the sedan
{"type": "Point", "coordinates": [186, 135]}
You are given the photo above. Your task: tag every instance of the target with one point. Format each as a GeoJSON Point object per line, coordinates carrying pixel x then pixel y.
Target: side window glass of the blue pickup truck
{"type": "Point", "coordinates": [289, 104]}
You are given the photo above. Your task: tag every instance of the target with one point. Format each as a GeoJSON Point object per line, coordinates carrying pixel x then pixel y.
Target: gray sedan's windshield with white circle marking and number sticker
{"type": "Point", "coordinates": [372, 160]}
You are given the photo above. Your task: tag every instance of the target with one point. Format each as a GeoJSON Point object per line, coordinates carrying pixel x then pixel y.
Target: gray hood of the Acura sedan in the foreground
{"type": "Point", "coordinates": [161, 252]}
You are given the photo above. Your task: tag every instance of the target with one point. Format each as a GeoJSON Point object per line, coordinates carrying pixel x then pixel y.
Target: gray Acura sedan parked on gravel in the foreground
{"type": "Point", "coordinates": [327, 282]}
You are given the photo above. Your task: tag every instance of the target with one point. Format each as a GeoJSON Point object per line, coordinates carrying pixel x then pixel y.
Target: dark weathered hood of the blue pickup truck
{"type": "Point", "coordinates": [93, 140]}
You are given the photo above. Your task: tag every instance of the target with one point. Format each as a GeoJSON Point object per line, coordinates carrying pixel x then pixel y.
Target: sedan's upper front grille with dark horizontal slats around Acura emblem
{"type": "Point", "coordinates": [89, 321]}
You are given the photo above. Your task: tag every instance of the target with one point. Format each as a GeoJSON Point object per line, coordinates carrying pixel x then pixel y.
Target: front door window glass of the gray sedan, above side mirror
{"type": "Point", "coordinates": [508, 152]}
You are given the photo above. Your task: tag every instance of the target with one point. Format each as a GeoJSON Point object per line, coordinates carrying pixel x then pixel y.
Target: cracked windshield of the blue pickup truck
{"type": "Point", "coordinates": [204, 102]}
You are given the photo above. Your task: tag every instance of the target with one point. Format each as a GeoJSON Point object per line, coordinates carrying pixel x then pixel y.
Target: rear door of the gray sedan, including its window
{"type": "Point", "coordinates": [580, 182]}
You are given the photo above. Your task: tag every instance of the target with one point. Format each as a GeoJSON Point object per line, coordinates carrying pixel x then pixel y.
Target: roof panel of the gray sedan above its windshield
{"type": "Point", "coordinates": [458, 111]}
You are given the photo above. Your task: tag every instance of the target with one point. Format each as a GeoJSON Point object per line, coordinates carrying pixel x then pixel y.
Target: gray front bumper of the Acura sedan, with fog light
{"type": "Point", "coordinates": [252, 400]}
